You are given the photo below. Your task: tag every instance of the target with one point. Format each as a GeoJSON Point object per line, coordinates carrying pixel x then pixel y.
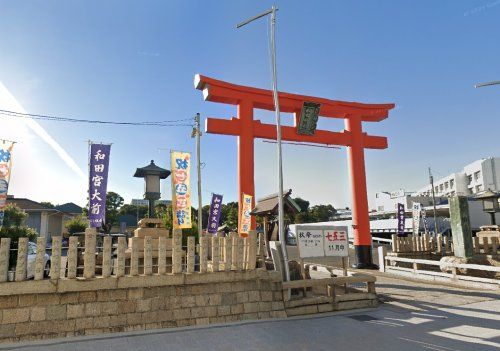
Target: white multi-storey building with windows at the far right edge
{"type": "Point", "coordinates": [475, 177]}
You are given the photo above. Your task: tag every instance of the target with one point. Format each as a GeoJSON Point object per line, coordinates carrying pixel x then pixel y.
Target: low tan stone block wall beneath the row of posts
{"type": "Point", "coordinates": [67, 307]}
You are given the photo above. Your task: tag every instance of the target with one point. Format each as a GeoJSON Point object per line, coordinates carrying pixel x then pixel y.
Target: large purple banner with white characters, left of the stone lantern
{"type": "Point", "coordinates": [98, 183]}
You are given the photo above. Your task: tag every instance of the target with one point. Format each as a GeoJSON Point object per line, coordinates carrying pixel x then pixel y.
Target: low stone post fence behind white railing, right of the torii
{"type": "Point", "coordinates": [440, 245]}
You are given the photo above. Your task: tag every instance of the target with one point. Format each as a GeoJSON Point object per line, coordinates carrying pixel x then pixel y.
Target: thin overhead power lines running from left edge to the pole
{"type": "Point", "coordinates": [166, 123]}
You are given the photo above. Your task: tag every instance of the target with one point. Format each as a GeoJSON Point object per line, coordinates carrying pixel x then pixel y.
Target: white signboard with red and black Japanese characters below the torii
{"type": "Point", "coordinates": [321, 241]}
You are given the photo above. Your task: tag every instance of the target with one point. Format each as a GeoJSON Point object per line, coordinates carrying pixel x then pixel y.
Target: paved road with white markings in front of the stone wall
{"type": "Point", "coordinates": [414, 316]}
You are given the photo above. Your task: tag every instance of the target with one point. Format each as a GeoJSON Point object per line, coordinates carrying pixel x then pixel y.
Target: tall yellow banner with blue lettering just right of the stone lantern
{"type": "Point", "coordinates": [180, 163]}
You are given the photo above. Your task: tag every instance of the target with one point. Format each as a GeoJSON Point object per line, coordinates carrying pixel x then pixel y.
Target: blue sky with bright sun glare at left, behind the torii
{"type": "Point", "coordinates": [134, 61]}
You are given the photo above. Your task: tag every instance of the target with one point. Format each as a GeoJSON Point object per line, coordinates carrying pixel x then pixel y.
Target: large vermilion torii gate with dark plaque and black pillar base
{"type": "Point", "coordinates": [353, 137]}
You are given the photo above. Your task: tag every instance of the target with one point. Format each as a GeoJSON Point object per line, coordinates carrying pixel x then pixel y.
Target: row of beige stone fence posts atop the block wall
{"type": "Point", "coordinates": [211, 254]}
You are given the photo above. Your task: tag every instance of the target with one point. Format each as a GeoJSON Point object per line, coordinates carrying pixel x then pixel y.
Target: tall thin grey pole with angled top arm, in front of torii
{"type": "Point", "coordinates": [281, 222]}
